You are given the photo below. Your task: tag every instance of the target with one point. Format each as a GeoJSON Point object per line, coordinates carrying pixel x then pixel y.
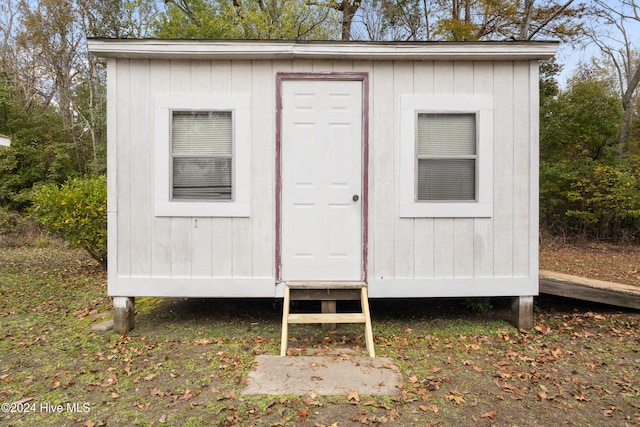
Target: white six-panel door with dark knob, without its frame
{"type": "Point", "coordinates": [321, 167]}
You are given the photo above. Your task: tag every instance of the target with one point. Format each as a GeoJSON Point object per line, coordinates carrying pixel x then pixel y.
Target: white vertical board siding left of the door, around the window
{"type": "Point", "coordinates": [150, 246]}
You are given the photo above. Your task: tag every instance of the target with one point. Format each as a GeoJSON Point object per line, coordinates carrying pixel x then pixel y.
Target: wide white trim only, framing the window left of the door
{"type": "Point", "coordinates": [239, 205]}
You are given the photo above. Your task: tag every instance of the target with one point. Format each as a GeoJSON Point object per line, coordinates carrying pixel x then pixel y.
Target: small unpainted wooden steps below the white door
{"type": "Point", "coordinates": [325, 291]}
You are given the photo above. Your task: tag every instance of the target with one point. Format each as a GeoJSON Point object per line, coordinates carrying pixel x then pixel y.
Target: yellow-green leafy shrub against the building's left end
{"type": "Point", "coordinates": [76, 212]}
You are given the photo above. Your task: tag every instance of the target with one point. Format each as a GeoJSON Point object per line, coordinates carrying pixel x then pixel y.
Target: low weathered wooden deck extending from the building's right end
{"type": "Point", "coordinates": [566, 285]}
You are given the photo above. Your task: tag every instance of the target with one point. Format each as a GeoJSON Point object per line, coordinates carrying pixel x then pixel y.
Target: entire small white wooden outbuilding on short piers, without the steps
{"type": "Point", "coordinates": [236, 167]}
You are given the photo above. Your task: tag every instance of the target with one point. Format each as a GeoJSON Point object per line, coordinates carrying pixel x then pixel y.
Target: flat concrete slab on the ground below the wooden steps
{"type": "Point", "coordinates": [323, 375]}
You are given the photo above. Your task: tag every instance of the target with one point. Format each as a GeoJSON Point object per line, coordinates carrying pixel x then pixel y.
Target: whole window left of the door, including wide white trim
{"type": "Point", "coordinates": [202, 159]}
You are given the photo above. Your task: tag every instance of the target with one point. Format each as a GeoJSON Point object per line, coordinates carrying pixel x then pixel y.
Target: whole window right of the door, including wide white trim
{"type": "Point", "coordinates": [446, 156]}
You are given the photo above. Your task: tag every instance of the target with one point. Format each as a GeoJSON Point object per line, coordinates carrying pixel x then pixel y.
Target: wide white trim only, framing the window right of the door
{"type": "Point", "coordinates": [482, 107]}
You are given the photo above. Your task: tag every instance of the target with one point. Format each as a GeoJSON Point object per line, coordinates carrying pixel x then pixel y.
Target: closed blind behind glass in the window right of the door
{"type": "Point", "coordinates": [446, 151]}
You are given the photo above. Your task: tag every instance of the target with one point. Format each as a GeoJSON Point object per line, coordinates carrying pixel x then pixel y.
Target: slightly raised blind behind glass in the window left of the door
{"type": "Point", "coordinates": [202, 150]}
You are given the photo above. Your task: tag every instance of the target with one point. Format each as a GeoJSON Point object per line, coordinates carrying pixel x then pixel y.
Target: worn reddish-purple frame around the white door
{"type": "Point", "coordinates": [363, 77]}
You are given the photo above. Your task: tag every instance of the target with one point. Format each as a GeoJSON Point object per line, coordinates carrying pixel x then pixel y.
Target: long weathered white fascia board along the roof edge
{"type": "Point", "coordinates": [208, 49]}
